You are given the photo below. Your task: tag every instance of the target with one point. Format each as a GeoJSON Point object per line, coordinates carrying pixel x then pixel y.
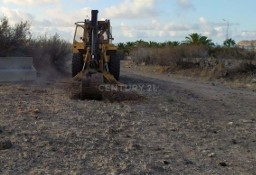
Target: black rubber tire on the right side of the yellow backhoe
{"type": "Point", "coordinates": [114, 65]}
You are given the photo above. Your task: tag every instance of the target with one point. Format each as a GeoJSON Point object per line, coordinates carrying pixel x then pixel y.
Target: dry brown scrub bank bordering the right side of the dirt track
{"type": "Point", "coordinates": [198, 60]}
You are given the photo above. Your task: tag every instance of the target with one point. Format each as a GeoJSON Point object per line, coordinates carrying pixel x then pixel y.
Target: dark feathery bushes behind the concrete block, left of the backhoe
{"type": "Point", "coordinates": [46, 51]}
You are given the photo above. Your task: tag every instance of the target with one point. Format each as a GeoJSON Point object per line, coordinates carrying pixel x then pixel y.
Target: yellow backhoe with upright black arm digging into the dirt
{"type": "Point", "coordinates": [95, 60]}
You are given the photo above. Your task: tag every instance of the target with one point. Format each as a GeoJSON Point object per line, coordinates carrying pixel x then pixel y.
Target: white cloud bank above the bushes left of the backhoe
{"type": "Point", "coordinates": [54, 20]}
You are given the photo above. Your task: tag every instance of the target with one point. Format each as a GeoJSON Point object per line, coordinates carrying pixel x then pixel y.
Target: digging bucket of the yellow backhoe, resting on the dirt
{"type": "Point", "coordinates": [91, 86]}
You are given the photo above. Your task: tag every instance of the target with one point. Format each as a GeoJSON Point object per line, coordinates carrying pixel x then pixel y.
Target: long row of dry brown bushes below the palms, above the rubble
{"type": "Point", "coordinates": [181, 54]}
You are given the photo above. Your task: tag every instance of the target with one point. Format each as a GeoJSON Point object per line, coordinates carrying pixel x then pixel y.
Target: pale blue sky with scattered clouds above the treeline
{"type": "Point", "coordinates": [150, 20]}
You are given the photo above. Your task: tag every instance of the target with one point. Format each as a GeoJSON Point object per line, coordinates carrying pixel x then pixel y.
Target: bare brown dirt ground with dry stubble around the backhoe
{"type": "Point", "coordinates": [159, 124]}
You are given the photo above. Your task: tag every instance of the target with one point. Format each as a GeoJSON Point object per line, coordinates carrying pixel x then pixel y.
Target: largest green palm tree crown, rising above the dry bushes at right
{"type": "Point", "coordinates": [197, 39]}
